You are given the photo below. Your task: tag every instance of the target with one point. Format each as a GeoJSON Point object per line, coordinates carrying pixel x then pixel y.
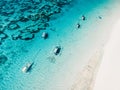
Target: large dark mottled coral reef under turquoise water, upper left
{"type": "Point", "coordinates": [25, 18]}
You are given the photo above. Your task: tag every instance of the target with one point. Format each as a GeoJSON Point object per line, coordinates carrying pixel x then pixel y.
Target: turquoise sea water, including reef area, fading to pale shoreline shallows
{"type": "Point", "coordinates": [49, 72]}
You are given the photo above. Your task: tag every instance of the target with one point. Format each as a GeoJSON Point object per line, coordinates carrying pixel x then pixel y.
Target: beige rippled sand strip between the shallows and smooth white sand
{"type": "Point", "coordinates": [86, 77]}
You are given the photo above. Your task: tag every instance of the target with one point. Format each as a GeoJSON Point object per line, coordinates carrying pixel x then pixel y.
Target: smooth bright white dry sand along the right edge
{"type": "Point", "coordinates": [108, 77]}
